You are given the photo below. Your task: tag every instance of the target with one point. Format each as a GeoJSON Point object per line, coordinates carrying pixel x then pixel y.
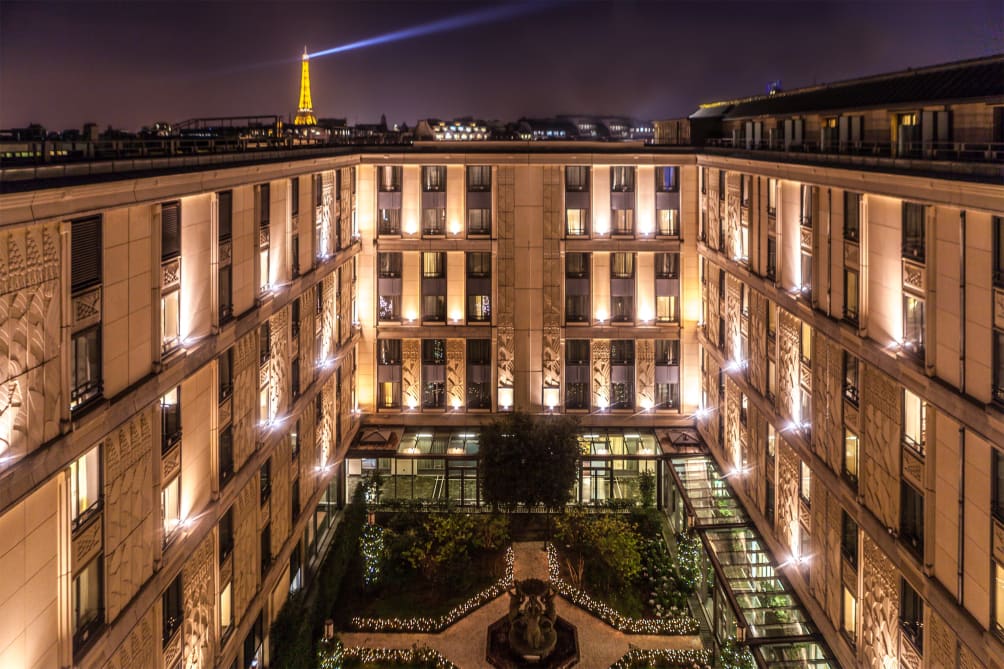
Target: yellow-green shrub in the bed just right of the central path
{"type": "Point", "coordinates": [609, 545]}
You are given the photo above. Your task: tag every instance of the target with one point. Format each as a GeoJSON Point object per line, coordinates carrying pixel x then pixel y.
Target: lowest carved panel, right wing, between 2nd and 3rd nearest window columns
{"type": "Point", "coordinates": [880, 609]}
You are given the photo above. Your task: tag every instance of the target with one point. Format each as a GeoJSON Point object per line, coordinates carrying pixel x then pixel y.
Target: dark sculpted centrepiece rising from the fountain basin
{"type": "Point", "coordinates": [532, 619]}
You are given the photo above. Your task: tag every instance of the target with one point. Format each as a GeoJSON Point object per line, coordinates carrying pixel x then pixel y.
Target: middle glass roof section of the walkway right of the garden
{"type": "Point", "coordinates": [767, 603]}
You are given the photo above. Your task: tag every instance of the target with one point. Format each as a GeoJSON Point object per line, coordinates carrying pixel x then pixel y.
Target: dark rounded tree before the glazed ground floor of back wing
{"type": "Point", "coordinates": [528, 461]}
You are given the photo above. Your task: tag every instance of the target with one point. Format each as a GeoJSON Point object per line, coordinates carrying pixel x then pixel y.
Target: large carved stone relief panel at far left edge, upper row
{"type": "Point", "coordinates": [31, 390]}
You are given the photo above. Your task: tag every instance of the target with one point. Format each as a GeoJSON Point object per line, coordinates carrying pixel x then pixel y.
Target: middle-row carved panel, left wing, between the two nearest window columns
{"type": "Point", "coordinates": [129, 511]}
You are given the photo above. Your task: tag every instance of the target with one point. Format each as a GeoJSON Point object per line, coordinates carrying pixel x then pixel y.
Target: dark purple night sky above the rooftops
{"type": "Point", "coordinates": [129, 65]}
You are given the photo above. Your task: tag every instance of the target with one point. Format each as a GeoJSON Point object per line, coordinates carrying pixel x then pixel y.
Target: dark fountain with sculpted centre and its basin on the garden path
{"type": "Point", "coordinates": [533, 635]}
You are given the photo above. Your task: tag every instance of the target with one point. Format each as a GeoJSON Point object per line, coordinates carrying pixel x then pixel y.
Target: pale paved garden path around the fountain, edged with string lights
{"type": "Point", "coordinates": [464, 642]}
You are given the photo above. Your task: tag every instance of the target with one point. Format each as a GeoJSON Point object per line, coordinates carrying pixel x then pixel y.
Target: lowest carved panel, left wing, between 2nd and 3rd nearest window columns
{"type": "Point", "coordinates": [200, 599]}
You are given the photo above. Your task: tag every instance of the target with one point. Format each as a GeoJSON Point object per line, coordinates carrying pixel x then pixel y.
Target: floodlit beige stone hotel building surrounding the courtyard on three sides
{"type": "Point", "coordinates": [818, 295]}
